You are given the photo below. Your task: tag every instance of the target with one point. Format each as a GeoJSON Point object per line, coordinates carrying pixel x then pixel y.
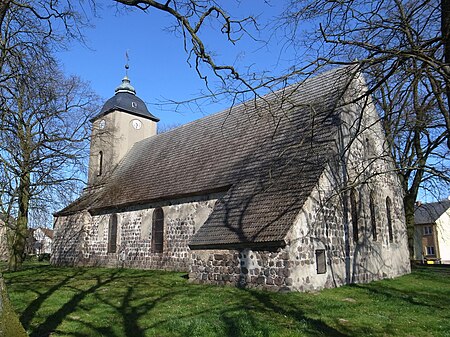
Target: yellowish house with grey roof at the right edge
{"type": "Point", "coordinates": [432, 232]}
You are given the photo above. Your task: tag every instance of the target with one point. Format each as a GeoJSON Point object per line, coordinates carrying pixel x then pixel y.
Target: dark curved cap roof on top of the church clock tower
{"type": "Point", "coordinates": [126, 100]}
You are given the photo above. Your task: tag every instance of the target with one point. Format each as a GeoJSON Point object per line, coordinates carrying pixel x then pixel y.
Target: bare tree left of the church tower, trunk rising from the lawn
{"type": "Point", "coordinates": [43, 146]}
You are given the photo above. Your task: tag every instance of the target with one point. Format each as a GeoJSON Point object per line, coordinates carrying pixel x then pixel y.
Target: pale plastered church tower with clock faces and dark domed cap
{"type": "Point", "coordinates": [123, 121]}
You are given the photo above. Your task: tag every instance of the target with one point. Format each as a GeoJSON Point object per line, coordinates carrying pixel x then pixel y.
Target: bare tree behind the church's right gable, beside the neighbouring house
{"type": "Point", "coordinates": [416, 138]}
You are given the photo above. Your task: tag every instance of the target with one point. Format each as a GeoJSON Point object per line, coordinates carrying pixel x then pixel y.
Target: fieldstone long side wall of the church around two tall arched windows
{"type": "Point", "coordinates": [82, 239]}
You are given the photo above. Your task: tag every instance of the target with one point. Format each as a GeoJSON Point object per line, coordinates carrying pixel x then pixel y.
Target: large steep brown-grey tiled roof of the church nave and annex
{"type": "Point", "coordinates": [266, 155]}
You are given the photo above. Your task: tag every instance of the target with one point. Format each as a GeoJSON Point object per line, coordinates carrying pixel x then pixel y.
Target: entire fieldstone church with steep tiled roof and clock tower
{"type": "Point", "coordinates": [294, 190]}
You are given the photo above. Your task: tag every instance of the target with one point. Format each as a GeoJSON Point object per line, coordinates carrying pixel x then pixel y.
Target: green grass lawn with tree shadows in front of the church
{"type": "Point", "coordinates": [122, 302]}
